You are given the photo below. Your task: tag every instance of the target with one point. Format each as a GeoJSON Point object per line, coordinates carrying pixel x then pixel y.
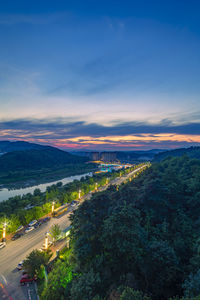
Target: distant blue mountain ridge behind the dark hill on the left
{"type": "Point", "coordinates": [7, 146]}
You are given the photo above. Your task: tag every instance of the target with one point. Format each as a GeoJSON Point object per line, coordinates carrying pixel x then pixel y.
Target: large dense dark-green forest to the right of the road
{"type": "Point", "coordinates": [138, 243]}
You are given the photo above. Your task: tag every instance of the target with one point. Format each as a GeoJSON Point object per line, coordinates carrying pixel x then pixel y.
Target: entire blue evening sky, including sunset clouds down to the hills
{"type": "Point", "coordinates": [100, 75]}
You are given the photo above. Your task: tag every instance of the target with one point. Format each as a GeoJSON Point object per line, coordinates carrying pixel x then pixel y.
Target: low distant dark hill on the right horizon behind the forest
{"type": "Point", "coordinates": [193, 152]}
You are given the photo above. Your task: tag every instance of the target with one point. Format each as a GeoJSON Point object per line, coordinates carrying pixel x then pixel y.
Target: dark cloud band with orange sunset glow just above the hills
{"type": "Point", "coordinates": [69, 134]}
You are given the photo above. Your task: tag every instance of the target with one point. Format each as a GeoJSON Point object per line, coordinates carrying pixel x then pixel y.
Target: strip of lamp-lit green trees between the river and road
{"type": "Point", "coordinates": [20, 210]}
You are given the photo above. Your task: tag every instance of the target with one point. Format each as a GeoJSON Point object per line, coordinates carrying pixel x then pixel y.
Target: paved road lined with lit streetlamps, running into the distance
{"type": "Point", "coordinates": [17, 250]}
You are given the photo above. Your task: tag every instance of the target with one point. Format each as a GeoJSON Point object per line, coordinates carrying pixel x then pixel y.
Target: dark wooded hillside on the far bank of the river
{"type": "Point", "coordinates": [48, 163]}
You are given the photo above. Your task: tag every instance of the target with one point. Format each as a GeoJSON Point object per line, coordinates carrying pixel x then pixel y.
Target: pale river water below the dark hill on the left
{"type": "Point", "coordinates": [5, 193]}
